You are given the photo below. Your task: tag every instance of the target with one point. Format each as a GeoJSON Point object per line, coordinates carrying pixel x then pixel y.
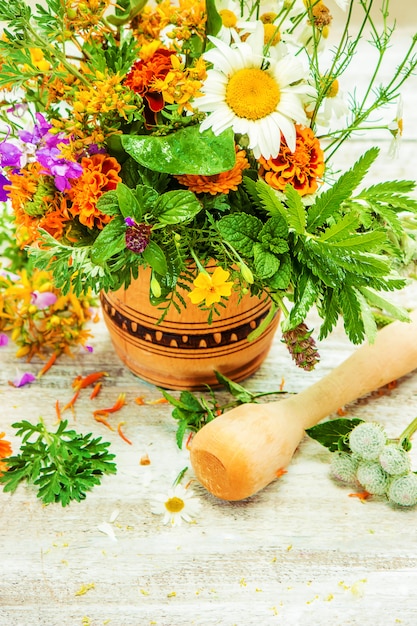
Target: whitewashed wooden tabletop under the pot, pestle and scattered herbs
{"type": "Point", "coordinates": [300, 552]}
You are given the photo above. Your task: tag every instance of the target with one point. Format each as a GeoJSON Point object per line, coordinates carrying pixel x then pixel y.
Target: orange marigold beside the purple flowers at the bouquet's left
{"type": "Point", "coordinates": [100, 174]}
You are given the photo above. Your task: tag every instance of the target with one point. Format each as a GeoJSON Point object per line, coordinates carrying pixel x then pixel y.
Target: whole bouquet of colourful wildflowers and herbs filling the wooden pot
{"type": "Point", "coordinates": [167, 135]}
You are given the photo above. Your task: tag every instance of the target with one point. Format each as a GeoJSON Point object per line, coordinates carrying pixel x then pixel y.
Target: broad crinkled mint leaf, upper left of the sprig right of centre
{"type": "Point", "coordinates": [241, 231]}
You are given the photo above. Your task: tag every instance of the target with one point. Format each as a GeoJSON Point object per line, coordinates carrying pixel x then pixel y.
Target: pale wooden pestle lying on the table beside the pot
{"type": "Point", "coordinates": [245, 449]}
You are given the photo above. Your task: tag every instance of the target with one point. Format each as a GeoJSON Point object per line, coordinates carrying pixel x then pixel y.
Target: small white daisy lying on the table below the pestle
{"type": "Point", "coordinates": [178, 505]}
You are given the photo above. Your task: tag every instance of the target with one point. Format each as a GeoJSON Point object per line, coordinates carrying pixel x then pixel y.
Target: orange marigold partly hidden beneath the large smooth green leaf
{"type": "Point", "coordinates": [218, 183]}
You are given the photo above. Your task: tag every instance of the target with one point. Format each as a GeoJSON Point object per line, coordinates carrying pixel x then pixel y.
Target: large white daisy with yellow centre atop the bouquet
{"type": "Point", "coordinates": [259, 101]}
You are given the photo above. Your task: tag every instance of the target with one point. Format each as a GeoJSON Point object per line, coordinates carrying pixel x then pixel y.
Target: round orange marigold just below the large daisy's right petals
{"type": "Point", "coordinates": [302, 168]}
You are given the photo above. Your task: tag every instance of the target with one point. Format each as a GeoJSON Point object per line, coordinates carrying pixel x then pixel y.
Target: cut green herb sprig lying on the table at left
{"type": "Point", "coordinates": [63, 465]}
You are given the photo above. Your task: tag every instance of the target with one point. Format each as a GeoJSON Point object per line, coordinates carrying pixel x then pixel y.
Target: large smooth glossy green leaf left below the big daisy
{"type": "Point", "coordinates": [186, 151]}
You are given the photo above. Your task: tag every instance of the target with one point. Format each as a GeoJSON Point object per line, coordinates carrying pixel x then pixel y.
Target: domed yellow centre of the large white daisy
{"type": "Point", "coordinates": [252, 94]}
